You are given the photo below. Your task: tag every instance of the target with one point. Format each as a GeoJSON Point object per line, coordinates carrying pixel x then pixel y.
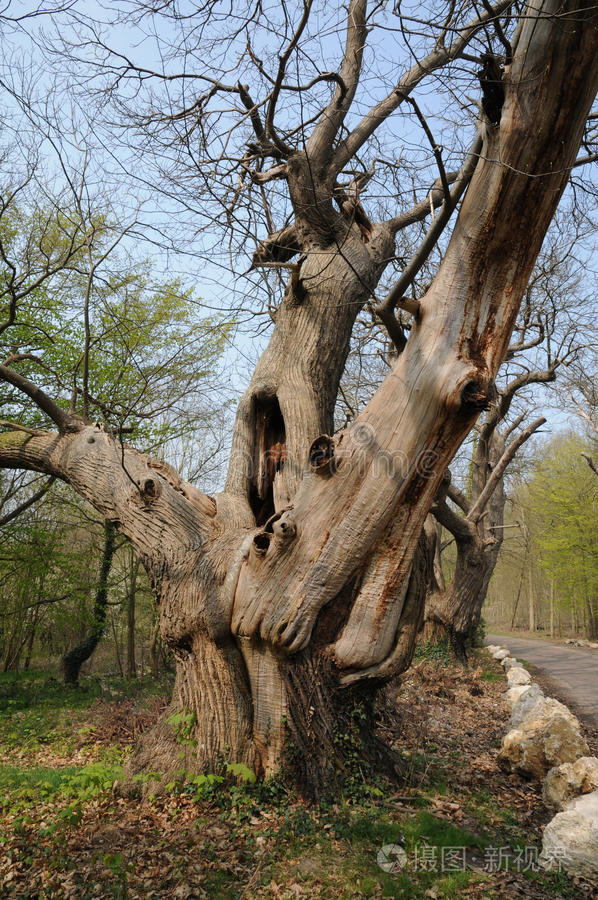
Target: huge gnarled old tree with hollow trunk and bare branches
{"type": "Point", "coordinates": [299, 589]}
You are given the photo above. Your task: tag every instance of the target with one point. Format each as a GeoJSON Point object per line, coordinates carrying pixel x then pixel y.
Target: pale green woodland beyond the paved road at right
{"type": "Point", "coordinates": [546, 579]}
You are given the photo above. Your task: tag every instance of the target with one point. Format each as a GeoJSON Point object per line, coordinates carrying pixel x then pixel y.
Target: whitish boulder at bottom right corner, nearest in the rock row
{"type": "Point", "coordinates": [571, 838]}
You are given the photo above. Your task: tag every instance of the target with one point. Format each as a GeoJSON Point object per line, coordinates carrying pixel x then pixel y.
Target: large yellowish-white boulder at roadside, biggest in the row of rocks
{"type": "Point", "coordinates": [549, 739]}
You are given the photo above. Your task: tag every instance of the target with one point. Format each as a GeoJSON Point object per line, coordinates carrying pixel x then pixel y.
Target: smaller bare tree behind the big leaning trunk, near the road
{"type": "Point", "coordinates": [551, 338]}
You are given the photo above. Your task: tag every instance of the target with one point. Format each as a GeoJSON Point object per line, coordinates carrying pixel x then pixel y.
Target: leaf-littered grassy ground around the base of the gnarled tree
{"type": "Point", "coordinates": [68, 829]}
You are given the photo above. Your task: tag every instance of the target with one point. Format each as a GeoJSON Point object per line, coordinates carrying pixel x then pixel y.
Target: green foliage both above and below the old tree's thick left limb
{"type": "Point", "coordinates": [107, 337]}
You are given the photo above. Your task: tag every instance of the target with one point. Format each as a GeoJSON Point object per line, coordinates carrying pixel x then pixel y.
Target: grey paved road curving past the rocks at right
{"type": "Point", "coordinates": [573, 670]}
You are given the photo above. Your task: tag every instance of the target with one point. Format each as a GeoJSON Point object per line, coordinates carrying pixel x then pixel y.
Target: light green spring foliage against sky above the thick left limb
{"type": "Point", "coordinates": [149, 351]}
